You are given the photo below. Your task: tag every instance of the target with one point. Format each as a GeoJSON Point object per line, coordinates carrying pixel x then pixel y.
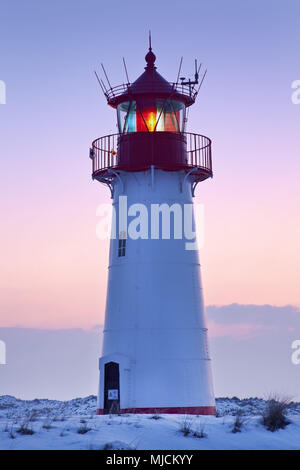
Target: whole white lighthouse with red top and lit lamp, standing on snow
{"type": "Point", "coordinates": [155, 356]}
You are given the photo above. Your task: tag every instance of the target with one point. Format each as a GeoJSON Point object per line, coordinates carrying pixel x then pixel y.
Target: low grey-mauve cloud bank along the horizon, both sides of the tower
{"type": "Point", "coordinates": [250, 347]}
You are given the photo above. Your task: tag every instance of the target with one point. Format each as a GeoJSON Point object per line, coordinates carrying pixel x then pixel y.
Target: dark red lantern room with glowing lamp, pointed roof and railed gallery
{"type": "Point", "coordinates": [151, 116]}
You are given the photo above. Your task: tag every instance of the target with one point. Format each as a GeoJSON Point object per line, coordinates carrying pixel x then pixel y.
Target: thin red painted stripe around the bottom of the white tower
{"type": "Point", "coordinates": [191, 410]}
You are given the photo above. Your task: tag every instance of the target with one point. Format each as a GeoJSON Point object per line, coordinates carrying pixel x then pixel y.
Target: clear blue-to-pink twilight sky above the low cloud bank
{"type": "Point", "coordinates": [53, 267]}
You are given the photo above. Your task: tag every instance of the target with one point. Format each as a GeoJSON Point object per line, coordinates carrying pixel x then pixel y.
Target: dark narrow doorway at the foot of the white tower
{"type": "Point", "coordinates": [111, 388]}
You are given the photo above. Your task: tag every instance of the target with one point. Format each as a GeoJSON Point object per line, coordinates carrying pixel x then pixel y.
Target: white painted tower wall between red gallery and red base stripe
{"type": "Point", "coordinates": [155, 318]}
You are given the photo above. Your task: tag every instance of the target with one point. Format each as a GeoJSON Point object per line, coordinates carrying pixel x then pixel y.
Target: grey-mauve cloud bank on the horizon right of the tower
{"type": "Point", "coordinates": [251, 349]}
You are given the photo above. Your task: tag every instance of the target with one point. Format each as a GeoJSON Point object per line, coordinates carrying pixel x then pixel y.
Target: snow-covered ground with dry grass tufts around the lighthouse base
{"type": "Point", "coordinates": [51, 424]}
